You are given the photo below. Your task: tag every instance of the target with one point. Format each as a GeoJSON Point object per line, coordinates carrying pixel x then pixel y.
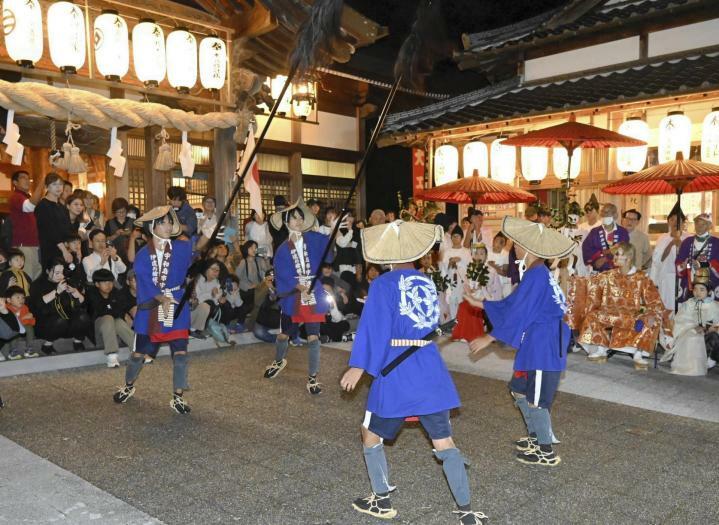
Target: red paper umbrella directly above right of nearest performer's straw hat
{"type": "Point", "coordinates": [477, 190]}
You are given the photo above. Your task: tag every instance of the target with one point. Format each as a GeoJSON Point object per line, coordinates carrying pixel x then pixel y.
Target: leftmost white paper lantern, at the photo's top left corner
{"type": "Point", "coordinates": [22, 24]}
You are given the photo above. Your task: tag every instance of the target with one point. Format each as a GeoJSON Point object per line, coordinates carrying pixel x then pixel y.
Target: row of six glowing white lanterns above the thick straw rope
{"type": "Point", "coordinates": [153, 56]}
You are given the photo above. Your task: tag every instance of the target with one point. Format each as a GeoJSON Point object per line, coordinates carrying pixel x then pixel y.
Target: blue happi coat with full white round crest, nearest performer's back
{"type": "Point", "coordinates": [402, 304]}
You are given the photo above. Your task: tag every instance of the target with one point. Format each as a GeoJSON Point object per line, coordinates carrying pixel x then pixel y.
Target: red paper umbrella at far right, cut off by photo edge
{"type": "Point", "coordinates": [678, 176]}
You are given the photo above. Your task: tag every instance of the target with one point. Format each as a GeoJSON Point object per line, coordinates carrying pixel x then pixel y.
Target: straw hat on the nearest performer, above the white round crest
{"type": "Point", "coordinates": [399, 241]}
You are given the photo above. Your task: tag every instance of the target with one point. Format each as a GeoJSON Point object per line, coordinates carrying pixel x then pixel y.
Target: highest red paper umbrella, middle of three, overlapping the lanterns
{"type": "Point", "coordinates": [572, 135]}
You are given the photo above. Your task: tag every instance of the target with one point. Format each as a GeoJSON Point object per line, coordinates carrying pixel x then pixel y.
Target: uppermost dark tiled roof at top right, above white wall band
{"type": "Point", "coordinates": [606, 13]}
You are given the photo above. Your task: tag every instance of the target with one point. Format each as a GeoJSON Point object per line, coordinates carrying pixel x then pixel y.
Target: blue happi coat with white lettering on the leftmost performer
{"type": "Point", "coordinates": [147, 290]}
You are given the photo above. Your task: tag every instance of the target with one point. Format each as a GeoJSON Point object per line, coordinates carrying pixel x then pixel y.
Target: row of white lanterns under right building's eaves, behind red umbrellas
{"type": "Point", "coordinates": [500, 160]}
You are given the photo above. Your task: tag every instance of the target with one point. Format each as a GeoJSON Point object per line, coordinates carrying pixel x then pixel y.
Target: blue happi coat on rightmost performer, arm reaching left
{"type": "Point", "coordinates": [530, 320]}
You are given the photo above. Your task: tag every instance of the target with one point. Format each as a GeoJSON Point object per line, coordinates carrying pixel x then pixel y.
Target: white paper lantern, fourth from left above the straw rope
{"type": "Point", "coordinates": [148, 51]}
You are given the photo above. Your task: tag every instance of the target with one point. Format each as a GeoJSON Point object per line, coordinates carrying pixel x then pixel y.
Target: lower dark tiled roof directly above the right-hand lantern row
{"type": "Point", "coordinates": [698, 72]}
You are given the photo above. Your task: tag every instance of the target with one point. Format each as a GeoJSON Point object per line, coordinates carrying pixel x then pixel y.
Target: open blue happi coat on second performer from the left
{"type": "Point", "coordinates": [286, 276]}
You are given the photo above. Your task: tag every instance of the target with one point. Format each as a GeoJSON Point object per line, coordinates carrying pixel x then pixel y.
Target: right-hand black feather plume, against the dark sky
{"type": "Point", "coordinates": [426, 44]}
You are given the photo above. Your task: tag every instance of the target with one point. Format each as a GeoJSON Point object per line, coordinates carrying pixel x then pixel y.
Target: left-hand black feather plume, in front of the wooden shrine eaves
{"type": "Point", "coordinates": [317, 37]}
